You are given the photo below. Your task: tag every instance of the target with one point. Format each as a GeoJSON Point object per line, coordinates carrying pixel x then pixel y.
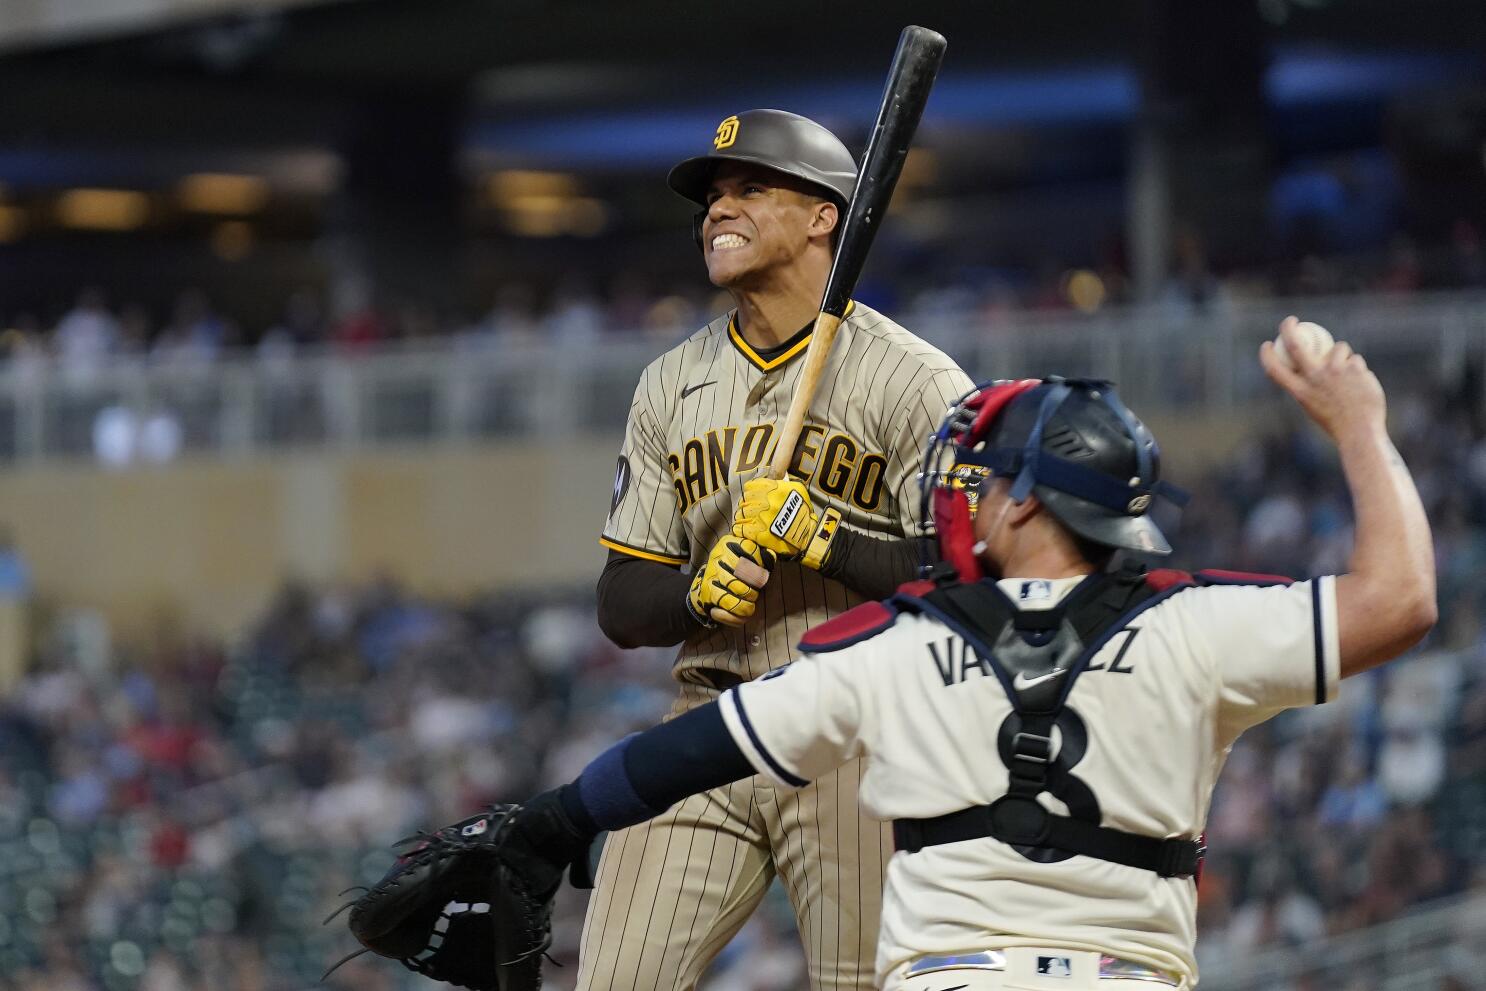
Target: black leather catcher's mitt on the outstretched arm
{"type": "Point", "coordinates": [472, 904]}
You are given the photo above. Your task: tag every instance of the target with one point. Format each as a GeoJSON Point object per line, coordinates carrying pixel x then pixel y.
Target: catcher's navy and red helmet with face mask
{"type": "Point", "coordinates": [1069, 442]}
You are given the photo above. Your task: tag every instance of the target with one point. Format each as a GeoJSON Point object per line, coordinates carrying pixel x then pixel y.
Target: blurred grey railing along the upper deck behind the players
{"type": "Point", "coordinates": [481, 387]}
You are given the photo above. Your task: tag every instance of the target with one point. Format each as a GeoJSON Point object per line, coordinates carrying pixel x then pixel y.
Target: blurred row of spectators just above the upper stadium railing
{"type": "Point", "coordinates": [94, 331]}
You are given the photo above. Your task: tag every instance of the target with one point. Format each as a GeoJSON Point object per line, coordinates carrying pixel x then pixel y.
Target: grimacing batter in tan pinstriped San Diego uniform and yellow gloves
{"type": "Point", "coordinates": [766, 561]}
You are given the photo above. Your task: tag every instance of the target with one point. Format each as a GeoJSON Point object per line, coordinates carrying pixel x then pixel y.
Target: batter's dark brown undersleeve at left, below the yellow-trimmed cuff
{"type": "Point", "coordinates": [644, 604]}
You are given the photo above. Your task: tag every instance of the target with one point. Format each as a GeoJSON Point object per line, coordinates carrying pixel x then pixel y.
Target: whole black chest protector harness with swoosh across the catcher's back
{"type": "Point", "coordinates": [1038, 656]}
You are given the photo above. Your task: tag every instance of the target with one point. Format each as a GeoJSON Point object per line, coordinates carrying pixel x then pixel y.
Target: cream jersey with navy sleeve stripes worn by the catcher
{"type": "Point", "coordinates": [1158, 709]}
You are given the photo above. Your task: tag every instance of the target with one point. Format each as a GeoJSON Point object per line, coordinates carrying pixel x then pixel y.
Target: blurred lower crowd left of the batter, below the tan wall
{"type": "Point", "coordinates": [182, 815]}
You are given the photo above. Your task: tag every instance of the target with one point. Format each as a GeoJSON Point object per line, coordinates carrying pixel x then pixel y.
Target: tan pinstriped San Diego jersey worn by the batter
{"type": "Point", "coordinates": [704, 423]}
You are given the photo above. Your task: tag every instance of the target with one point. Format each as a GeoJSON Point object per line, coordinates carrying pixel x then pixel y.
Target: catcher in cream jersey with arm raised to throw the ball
{"type": "Point", "coordinates": [1042, 729]}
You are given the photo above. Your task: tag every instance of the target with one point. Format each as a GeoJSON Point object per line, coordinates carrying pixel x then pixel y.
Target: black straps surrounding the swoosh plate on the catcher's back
{"type": "Point", "coordinates": [982, 616]}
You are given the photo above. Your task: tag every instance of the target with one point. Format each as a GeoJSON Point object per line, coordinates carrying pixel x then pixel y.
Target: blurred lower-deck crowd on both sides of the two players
{"type": "Point", "coordinates": [181, 815]}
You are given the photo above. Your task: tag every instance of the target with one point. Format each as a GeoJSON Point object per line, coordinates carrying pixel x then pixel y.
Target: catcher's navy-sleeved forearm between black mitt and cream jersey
{"type": "Point", "coordinates": [650, 772]}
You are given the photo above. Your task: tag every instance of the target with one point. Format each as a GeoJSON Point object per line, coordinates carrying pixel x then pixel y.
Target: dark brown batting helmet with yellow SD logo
{"type": "Point", "coordinates": [779, 140]}
